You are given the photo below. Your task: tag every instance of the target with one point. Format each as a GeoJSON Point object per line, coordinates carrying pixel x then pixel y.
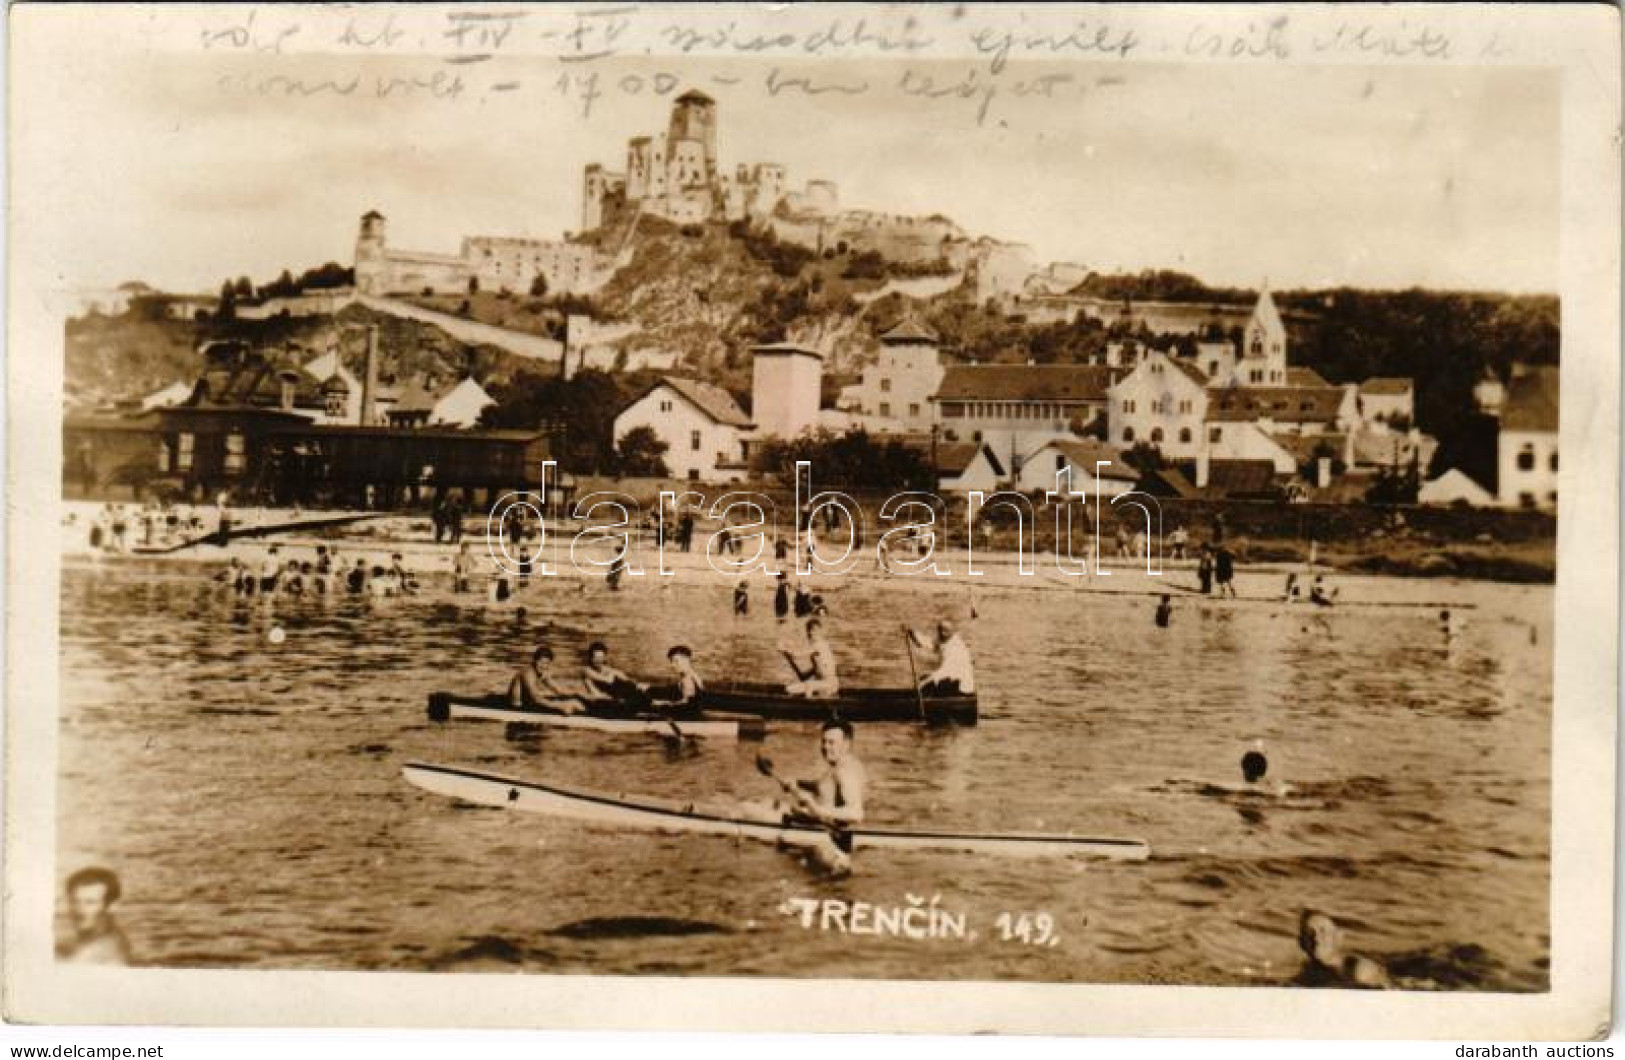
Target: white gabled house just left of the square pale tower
{"type": "Point", "coordinates": [701, 425]}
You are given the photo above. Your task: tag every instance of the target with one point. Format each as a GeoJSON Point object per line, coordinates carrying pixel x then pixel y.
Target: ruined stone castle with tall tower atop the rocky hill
{"type": "Point", "coordinates": [677, 178]}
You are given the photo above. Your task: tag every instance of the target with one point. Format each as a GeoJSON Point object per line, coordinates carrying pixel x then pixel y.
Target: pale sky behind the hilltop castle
{"type": "Point", "coordinates": [1298, 176]}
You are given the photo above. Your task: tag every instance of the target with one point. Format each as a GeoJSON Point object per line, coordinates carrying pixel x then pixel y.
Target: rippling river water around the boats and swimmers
{"type": "Point", "coordinates": [249, 793]}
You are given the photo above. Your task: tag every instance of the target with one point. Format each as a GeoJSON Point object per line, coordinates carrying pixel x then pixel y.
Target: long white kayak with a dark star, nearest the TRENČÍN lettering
{"type": "Point", "coordinates": [677, 817]}
